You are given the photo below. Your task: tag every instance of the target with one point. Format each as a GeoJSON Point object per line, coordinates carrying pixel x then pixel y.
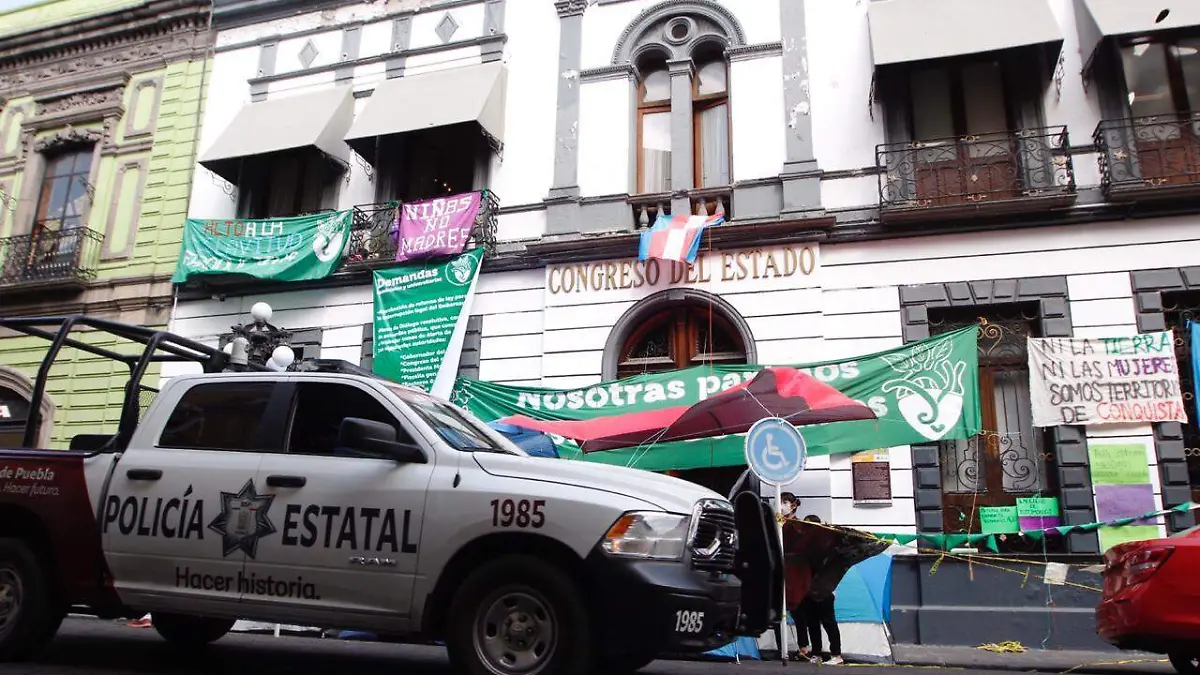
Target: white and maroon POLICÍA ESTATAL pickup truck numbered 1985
{"type": "Point", "coordinates": [338, 499]}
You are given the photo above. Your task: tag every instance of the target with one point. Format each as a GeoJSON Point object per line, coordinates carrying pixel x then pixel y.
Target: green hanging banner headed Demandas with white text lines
{"type": "Point", "coordinates": [421, 321]}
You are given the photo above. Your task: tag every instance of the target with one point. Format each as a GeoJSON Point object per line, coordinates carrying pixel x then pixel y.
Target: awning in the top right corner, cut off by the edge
{"type": "Point", "coordinates": [1099, 20]}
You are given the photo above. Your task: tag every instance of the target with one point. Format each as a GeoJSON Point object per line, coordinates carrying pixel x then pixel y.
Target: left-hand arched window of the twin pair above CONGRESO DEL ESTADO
{"type": "Point", "coordinates": [655, 126]}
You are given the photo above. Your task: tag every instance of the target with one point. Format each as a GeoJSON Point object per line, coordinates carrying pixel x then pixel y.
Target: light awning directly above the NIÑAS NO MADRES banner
{"type": "Point", "coordinates": [430, 100]}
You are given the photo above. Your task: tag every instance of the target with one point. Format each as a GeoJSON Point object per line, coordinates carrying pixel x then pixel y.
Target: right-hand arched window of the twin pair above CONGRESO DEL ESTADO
{"type": "Point", "coordinates": [711, 120]}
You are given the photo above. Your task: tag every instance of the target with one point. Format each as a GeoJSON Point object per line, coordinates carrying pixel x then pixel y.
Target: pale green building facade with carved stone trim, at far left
{"type": "Point", "coordinates": [100, 106]}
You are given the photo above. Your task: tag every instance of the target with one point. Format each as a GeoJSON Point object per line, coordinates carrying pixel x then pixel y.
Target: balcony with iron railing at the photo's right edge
{"type": "Point", "coordinates": [1150, 158]}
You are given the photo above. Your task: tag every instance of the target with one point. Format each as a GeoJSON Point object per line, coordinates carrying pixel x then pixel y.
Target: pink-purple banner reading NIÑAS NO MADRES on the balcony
{"type": "Point", "coordinates": [435, 228]}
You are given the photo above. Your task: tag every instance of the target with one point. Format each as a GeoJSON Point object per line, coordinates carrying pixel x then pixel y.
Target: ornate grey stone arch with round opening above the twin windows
{"type": "Point", "coordinates": [707, 21]}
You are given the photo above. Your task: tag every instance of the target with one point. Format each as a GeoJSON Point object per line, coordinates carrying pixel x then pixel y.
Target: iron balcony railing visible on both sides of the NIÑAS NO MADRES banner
{"type": "Point", "coordinates": [374, 240]}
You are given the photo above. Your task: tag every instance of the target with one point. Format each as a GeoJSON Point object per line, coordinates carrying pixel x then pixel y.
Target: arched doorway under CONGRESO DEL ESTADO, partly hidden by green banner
{"type": "Point", "coordinates": [676, 331]}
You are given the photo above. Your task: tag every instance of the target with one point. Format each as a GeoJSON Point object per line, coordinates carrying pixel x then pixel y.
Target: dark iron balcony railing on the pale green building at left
{"type": "Point", "coordinates": [50, 258]}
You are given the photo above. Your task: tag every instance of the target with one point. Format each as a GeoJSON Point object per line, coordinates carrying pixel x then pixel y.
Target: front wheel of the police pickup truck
{"type": "Point", "coordinates": [520, 616]}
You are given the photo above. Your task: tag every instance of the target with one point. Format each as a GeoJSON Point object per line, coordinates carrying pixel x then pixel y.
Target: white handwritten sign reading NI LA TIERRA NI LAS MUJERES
{"type": "Point", "coordinates": [1106, 380]}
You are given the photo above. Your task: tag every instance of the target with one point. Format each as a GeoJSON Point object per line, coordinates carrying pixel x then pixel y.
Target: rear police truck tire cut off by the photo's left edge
{"type": "Point", "coordinates": [29, 617]}
